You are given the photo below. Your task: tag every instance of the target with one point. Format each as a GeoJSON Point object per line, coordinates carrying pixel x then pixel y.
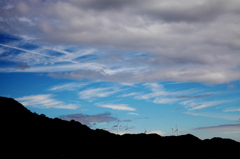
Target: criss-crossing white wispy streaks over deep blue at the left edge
{"type": "Point", "coordinates": [47, 59]}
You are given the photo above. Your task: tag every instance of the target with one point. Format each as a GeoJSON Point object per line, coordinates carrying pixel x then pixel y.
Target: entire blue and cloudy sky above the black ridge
{"type": "Point", "coordinates": [126, 66]}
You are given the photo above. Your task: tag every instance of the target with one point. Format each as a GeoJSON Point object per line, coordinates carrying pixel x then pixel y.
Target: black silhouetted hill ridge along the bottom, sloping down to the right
{"type": "Point", "coordinates": [29, 135]}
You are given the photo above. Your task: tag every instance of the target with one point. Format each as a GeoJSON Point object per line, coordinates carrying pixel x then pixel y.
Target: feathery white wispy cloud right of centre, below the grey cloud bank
{"type": "Point", "coordinates": [160, 95]}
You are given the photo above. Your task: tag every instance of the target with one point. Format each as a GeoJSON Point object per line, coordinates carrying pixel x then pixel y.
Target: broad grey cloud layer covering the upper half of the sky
{"type": "Point", "coordinates": [186, 40]}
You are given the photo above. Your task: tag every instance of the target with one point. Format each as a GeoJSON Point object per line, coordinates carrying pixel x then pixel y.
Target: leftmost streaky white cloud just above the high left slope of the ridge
{"type": "Point", "coordinates": [45, 101]}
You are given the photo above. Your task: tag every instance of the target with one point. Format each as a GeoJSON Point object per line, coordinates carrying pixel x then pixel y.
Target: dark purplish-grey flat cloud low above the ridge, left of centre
{"type": "Point", "coordinates": [89, 119]}
